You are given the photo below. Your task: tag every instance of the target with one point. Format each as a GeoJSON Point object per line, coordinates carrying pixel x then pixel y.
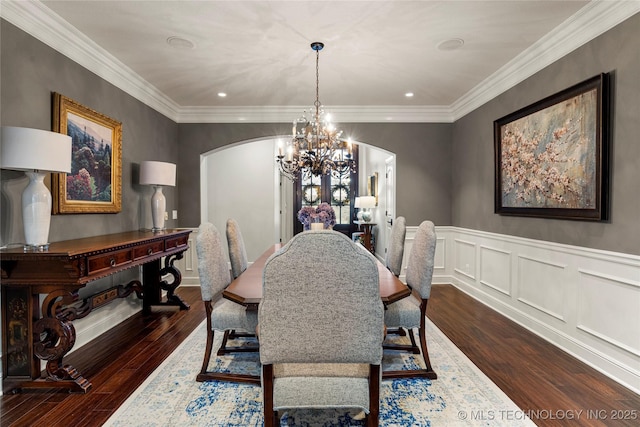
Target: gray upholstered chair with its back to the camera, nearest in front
{"type": "Point", "coordinates": [321, 327]}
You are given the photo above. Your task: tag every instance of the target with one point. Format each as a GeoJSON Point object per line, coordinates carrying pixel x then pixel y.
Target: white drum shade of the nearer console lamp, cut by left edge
{"type": "Point", "coordinates": [34, 149]}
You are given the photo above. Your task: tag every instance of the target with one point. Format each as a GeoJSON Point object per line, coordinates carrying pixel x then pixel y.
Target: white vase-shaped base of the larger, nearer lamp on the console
{"type": "Point", "coordinates": [36, 212]}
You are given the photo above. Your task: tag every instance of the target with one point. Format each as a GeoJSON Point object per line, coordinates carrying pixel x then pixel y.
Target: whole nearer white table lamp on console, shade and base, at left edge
{"type": "Point", "coordinates": [36, 152]}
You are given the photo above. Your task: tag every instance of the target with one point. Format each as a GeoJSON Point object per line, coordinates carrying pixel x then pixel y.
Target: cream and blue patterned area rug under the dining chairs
{"type": "Point", "coordinates": [461, 396]}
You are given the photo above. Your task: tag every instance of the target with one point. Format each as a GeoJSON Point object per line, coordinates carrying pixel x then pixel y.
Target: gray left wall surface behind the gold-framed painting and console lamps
{"type": "Point", "coordinates": [30, 72]}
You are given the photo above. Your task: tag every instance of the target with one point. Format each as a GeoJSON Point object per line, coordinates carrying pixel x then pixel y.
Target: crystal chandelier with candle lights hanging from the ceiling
{"type": "Point", "coordinates": [315, 147]}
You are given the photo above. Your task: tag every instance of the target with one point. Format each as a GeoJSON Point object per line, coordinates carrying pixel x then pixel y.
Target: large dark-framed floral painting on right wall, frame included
{"type": "Point", "coordinates": [552, 157]}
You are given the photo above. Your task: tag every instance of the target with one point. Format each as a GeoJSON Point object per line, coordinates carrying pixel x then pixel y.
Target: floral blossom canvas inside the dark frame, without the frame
{"type": "Point", "coordinates": [545, 156]}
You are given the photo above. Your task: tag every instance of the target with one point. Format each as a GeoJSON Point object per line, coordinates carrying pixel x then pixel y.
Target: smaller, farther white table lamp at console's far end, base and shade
{"type": "Point", "coordinates": [158, 174]}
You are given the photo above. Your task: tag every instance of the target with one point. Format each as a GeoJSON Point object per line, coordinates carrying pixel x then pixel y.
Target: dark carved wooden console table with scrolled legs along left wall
{"type": "Point", "coordinates": [31, 332]}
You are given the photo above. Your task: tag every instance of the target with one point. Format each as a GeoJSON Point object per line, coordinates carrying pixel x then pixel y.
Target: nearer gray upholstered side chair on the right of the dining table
{"type": "Point", "coordinates": [410, 312]}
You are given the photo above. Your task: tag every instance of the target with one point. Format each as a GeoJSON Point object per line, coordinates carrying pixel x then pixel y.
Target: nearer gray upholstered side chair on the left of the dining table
{"type": "Point", "coordinates": [222, 314]}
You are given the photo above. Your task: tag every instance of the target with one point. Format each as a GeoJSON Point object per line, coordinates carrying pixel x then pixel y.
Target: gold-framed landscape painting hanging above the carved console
{"type": "Point", "coordinates": [94, 184]}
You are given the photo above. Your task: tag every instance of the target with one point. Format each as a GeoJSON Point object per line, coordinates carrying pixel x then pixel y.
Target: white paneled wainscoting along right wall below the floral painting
{"type": "Point", "coordinates": [585, 301]}
